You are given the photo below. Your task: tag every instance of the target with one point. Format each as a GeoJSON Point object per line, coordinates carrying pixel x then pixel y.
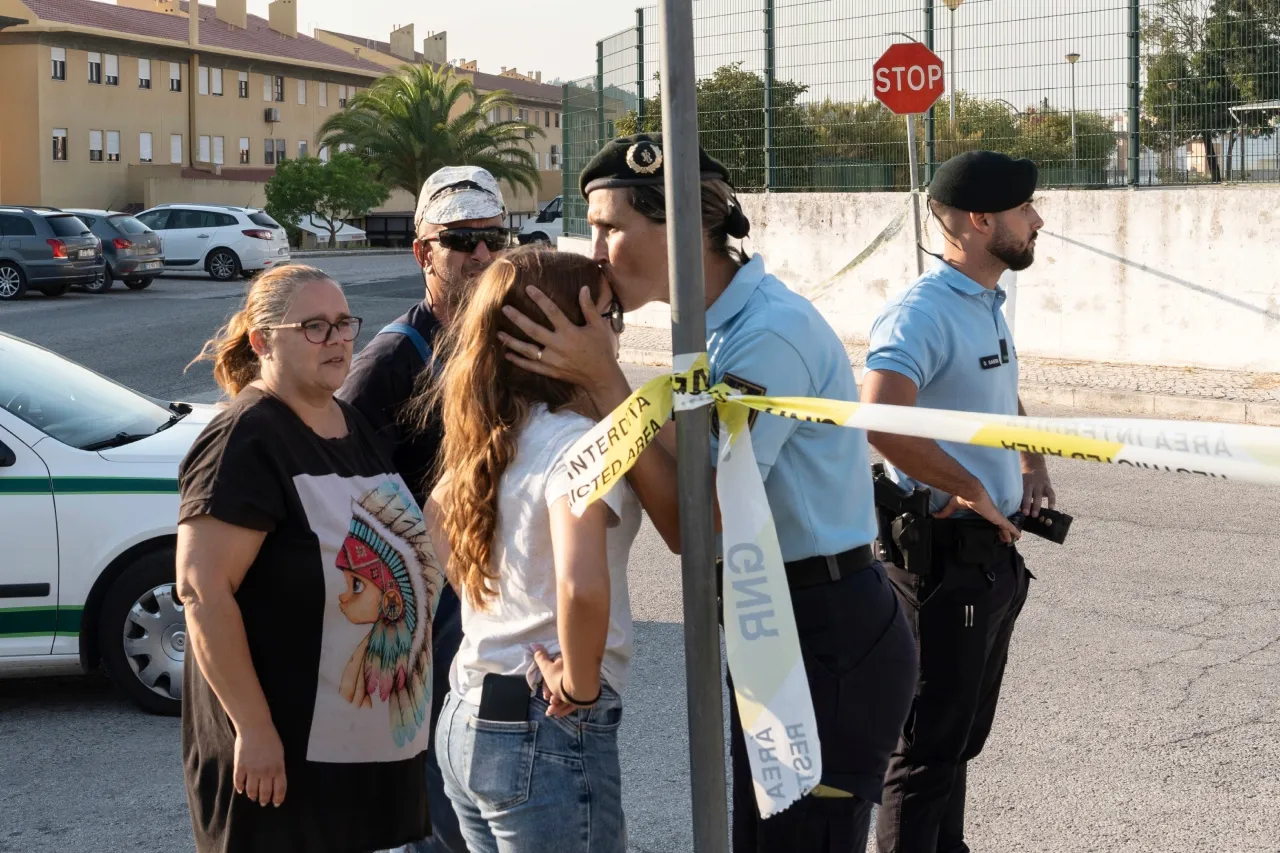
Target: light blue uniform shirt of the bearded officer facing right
{"type": "Point", "coordinates": [948, 335]}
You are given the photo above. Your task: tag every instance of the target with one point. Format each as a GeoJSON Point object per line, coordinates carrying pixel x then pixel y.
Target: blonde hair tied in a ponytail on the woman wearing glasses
{"type": "Point", "coordinates": [236, 364]}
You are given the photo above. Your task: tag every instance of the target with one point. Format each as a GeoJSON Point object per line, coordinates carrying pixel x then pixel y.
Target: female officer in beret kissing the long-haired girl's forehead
{"type": "Point", "coordinates": [762, 339]}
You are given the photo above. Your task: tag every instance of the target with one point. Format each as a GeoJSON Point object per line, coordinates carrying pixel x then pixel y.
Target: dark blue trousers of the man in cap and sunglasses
{"type": "Point", "coordinates": [447, 636]}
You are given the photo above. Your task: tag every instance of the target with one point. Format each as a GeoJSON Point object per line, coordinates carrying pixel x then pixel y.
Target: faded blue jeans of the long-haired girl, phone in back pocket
{"type": "Point", "coordinates": [538, 787]}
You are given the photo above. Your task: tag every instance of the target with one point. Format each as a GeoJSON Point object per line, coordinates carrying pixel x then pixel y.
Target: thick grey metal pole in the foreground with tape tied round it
{"type": "Point", "coordinates": [693, 450]}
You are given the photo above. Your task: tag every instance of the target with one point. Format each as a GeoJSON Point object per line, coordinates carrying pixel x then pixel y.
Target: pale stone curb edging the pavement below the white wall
{"type": "Point", "coordinates": [1136, 403]}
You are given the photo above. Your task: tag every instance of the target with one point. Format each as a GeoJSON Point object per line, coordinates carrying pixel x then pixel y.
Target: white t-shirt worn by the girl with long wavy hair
{"type": "Point", "coordinates": [497, 640]}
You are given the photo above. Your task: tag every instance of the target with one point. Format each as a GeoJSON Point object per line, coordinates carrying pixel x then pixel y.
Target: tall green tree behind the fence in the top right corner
{"type": "Point", "coordinates": [1205, 57]}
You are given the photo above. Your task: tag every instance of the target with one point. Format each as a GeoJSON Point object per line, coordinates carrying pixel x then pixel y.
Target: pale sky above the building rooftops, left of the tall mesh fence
{"type": "Point", "coordinates": [556, 38]}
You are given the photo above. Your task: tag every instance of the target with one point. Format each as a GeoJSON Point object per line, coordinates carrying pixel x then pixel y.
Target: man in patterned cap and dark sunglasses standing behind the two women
{"type": "Point", "coordinates": [459, 229]}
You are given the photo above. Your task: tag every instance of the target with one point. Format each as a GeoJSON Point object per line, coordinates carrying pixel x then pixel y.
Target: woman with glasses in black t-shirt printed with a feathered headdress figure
{"type": "Point", "coordinates": [309, 581]}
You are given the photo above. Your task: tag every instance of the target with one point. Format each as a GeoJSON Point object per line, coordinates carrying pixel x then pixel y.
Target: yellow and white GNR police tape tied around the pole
{"type": "Point", "coordinates": [761, 638]}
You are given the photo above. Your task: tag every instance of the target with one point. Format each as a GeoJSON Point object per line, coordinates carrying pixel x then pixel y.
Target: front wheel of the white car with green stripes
{"type": "Point", "coordinates": [143, 633]}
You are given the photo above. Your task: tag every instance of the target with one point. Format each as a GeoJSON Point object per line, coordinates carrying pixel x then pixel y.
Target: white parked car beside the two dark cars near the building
{"type": "Point", "coordinates": [220, 240]}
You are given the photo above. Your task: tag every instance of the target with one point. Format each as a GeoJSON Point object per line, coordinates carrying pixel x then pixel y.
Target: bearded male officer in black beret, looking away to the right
{"type": "Point", "coordinates": [944, 344]}
